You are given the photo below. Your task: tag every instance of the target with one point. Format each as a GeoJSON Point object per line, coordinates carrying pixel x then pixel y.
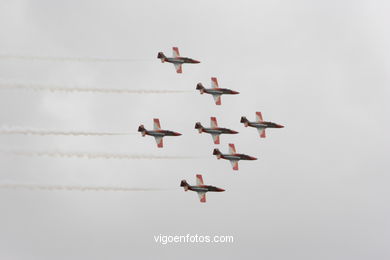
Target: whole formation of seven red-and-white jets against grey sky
{"type": "Point", "coordinates": [233, 157]}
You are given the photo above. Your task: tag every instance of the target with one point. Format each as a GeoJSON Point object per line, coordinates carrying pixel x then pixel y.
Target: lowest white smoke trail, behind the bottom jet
{"type": "Point", "coordinates": [72, 188]}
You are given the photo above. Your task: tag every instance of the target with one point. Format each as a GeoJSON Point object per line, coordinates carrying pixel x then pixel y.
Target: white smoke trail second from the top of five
{"type": "Point", "coordinates": [56, 88]}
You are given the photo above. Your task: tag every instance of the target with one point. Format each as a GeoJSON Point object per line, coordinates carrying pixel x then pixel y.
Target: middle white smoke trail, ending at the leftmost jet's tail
{"type": "Point", "coordinates": [5, 131]}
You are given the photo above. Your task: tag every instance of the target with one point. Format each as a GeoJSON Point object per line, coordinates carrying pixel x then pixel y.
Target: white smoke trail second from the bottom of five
{"type": "Point", "coordinates": [85, 155]}
